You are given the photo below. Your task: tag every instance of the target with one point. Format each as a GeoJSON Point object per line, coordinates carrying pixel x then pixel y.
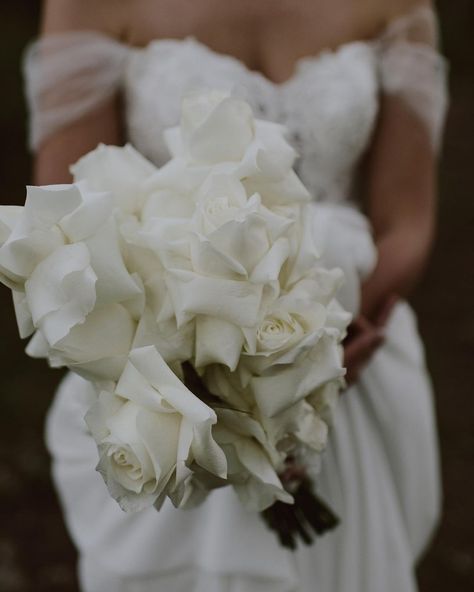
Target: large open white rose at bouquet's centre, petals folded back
{"type": "Point", "coordinates": [219, 263]}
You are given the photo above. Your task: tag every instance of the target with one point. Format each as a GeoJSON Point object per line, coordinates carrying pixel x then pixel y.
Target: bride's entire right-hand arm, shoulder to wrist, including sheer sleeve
{"type": "Point", "coordinates": [401, 173]}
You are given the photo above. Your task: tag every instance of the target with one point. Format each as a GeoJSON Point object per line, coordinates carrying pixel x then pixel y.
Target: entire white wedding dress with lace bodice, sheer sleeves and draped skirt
{"type": "Point", "coordinates": [380, 472]}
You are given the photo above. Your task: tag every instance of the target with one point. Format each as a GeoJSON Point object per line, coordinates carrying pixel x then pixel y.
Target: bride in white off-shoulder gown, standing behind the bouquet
{"type": "Point", "coordinates": [360, 86]}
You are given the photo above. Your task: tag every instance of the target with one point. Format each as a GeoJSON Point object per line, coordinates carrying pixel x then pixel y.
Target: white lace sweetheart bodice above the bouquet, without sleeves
{"type": "Point", "coordinates": [329, 104]}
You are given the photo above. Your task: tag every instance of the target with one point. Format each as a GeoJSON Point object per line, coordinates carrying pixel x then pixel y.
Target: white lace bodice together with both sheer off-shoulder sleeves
{"type": "Point", "coordinates": [329, 104]}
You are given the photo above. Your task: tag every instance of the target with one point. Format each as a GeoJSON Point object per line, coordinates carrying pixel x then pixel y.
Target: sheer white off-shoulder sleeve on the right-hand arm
{"type": "Point", "coordinates": [412, 68]}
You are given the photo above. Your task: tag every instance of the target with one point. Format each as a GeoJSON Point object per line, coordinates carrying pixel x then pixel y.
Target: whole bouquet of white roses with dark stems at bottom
{"type": "Point", "coordinates": [195, 299]}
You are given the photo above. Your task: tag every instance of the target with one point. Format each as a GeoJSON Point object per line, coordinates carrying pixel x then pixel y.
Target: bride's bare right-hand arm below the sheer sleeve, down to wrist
{"type": "Point", "coordinates": [401, 203]}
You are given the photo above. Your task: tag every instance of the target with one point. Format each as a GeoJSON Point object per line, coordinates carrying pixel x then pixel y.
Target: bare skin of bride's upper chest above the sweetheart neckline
{"type": "Point", "coordinates": [269, 41]}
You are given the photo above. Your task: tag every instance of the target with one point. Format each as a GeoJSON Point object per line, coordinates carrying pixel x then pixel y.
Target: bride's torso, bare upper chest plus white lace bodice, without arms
{"type": "Point", "coordinates": [277, 59]}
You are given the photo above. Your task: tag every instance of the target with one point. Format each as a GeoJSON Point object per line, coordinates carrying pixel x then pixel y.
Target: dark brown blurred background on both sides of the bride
{"type": "Point", "coordinates": [35, 552]}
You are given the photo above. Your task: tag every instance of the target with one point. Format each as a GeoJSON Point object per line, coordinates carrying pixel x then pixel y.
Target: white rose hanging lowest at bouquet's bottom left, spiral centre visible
{"type": "Point", "coordinates": [150, 431]}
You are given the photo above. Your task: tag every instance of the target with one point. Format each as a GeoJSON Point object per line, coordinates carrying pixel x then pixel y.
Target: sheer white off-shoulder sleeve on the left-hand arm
{"type": "Point", "coordinates": [68, 75]}
